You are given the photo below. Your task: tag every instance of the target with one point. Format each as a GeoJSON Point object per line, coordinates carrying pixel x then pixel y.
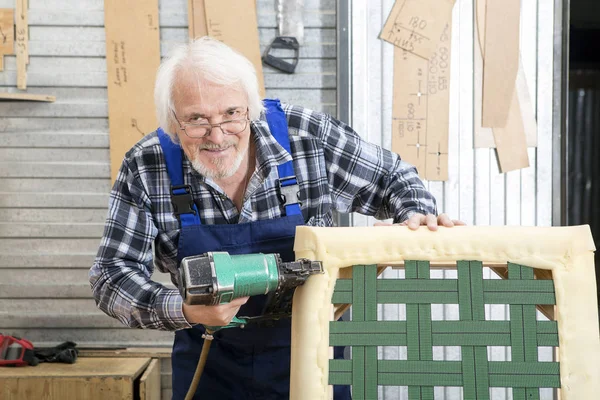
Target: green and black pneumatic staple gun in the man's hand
{"type": "Point", "coordinates": [218, 277]}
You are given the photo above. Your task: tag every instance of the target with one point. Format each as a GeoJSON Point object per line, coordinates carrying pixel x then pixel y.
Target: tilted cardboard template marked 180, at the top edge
{"type": "Point", "coordinates": [415, 25]}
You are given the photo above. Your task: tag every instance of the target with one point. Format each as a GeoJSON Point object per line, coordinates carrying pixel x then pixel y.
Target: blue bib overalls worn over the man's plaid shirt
{"type": "Point", "coordinates": [254, 362]}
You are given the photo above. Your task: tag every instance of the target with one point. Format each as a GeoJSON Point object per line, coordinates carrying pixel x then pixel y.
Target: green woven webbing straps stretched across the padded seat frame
{"type": "Point", "coordinates": [523, 333]}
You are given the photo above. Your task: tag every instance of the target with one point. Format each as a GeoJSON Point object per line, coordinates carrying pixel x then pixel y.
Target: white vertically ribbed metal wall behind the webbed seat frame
{"type": "Point", "coordinates": [475, 192]}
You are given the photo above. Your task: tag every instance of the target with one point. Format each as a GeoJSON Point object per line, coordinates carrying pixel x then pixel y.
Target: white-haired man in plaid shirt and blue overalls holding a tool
{"type": "Point", "coordinates": [210, 179]}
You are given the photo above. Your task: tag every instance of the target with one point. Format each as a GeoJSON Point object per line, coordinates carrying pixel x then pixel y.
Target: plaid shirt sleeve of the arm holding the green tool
{"type": "Point", "coordinates": [121, 274]}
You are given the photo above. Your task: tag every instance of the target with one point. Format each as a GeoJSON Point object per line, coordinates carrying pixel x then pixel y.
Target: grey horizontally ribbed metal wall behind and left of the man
{"type": "Point", "coordinates": [54, 162]}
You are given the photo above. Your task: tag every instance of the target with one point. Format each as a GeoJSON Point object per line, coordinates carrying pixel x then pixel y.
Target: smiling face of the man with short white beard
{"type": "Point", "coordinates": [216, 156]}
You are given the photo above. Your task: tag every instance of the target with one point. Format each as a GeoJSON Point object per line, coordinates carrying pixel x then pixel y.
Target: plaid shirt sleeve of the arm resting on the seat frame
{"type": "Point", "coordinates": [368, 179]}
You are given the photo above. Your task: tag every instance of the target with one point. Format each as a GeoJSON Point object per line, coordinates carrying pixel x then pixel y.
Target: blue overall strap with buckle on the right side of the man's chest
{"type": "Point", "coordinates": [288, 185]}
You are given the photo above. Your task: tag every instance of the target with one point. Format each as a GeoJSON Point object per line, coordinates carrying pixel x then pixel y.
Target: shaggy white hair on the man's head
{"type": "Point", "coordinates": [210, 60]}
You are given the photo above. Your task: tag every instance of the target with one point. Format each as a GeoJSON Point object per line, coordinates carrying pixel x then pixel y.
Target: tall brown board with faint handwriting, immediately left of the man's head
{"type": "Point", "coordinates": [132, 58]}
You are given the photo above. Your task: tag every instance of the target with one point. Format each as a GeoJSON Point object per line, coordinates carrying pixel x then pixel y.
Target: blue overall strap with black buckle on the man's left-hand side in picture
{"type": "Point", "coordinates": [181, 194]}
